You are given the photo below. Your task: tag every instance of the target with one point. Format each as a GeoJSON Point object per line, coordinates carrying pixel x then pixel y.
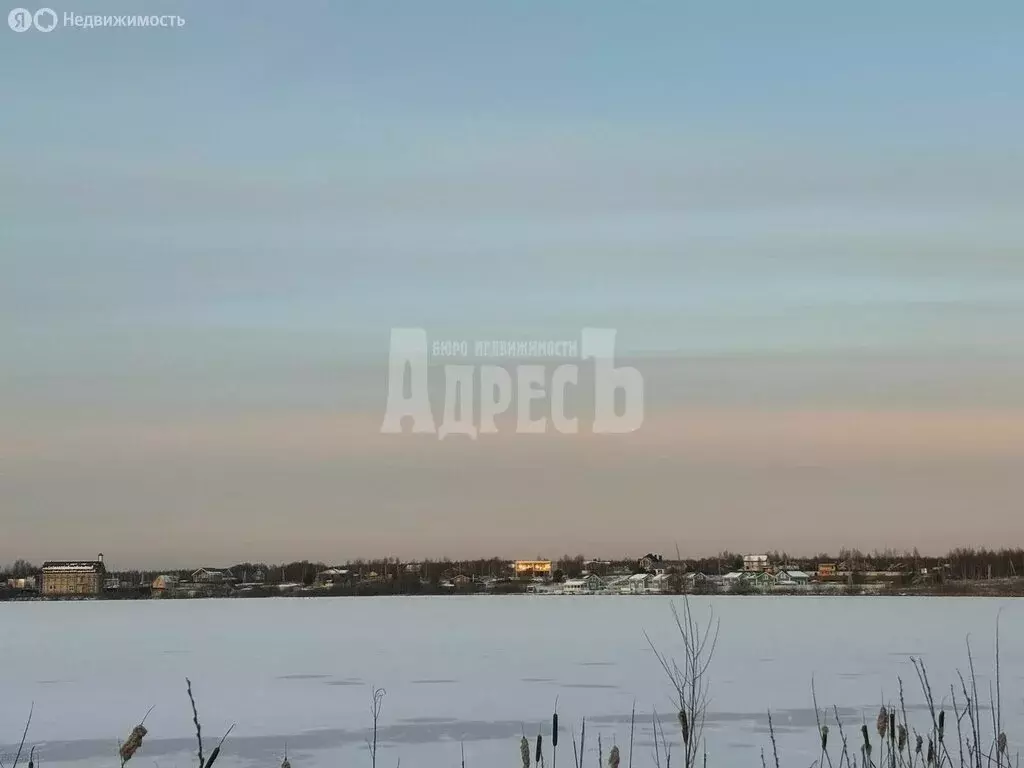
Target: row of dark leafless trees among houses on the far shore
{"type": "Point", "coordinates": [962, 564]}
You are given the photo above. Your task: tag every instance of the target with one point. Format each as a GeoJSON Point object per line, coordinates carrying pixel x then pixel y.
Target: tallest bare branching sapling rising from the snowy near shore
{"type": "Point", "coordinates": [690, 675]}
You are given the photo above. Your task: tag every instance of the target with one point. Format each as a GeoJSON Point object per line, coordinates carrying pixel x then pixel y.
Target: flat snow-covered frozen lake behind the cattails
{"type": "Point", "coordinates": [477, 671]}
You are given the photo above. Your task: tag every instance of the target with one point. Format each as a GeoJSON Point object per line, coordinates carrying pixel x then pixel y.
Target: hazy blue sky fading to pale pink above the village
{"type": "Point", "coordinates": [804, 221]}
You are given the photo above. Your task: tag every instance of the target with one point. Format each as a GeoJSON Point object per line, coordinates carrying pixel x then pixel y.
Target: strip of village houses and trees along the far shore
{"type": "Point", "coordinates": [962, 572]}
